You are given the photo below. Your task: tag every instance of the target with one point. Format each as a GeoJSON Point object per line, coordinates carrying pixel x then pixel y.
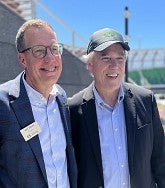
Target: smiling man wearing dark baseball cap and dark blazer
{"type": "Point", "coordinates": [117, 132]}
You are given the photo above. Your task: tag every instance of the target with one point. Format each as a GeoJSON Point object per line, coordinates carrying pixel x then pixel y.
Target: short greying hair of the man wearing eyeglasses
{"type": "Point", "coordinates": [20, 40]}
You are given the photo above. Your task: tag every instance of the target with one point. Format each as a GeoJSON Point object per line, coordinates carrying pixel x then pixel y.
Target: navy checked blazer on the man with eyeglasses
{"type": "Point", "coordinates": [21, 162]}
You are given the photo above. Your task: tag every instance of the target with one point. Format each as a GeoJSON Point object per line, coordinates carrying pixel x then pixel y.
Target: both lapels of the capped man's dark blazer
{"type": "Point", "coordinates": [89, 111]}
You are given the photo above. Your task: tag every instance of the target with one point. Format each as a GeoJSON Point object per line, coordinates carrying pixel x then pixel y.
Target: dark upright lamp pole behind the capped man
{"type": "Point", "coordinates": [126, 38]}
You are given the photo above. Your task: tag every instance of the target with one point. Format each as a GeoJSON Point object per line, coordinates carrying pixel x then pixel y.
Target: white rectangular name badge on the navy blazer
{"type": "Point", "coordinates": [30, 131]}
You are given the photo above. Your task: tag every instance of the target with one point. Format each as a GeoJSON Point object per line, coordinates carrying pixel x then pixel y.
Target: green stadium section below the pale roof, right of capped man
{"type": "Point", "coordinates": [153, 76]}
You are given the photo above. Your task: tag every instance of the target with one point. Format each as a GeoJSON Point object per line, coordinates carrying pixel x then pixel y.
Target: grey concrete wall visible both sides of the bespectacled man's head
{"type": "Point", "coordinates": [74, 76]}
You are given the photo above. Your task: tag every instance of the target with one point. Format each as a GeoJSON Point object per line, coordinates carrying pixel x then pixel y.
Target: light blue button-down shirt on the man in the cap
{"type": "Point", "coordinates": [113, 142]}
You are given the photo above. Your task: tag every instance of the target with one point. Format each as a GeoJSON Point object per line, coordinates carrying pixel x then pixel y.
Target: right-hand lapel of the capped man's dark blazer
{"type": "Point", "coordinates": [130, 118]}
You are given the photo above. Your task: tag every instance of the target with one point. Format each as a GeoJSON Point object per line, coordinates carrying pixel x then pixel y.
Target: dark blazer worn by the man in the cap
{"type": "Point", "coordinates": [145, 139]}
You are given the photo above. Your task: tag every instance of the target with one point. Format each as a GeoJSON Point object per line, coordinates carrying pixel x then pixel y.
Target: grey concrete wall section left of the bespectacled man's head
{"type": "Point", "coordinates": [9, 24]}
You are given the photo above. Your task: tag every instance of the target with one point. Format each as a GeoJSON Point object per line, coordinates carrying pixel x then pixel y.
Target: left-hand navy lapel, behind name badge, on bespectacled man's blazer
{"type": "Point", "coordinates": [22, 109]}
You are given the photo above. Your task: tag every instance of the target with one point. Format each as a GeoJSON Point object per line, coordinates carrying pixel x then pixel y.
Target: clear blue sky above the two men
{"type": "Point", "coordinates": [146, 26]}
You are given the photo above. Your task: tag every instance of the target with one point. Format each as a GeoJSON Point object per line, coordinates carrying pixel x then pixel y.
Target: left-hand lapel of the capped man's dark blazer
{"type": "Point", "coordinates": [89, 111]}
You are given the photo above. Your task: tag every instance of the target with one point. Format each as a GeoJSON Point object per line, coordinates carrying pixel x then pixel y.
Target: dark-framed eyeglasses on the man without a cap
{"type": "Point", "coordinates": [40, 51]}
